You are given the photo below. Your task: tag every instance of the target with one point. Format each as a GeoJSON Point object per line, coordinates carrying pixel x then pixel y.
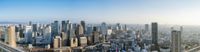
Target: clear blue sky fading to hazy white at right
{"type": "Point", "coordinates": [181, 12]}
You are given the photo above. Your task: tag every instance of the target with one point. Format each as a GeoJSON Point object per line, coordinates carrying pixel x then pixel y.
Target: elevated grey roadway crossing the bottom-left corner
{"type": "Point", "coordinates": [8, 48]}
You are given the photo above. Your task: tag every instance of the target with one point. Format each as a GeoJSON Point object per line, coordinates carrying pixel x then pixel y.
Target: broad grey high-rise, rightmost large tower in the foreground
{"type": "Point", "coordinates": [176, 41]}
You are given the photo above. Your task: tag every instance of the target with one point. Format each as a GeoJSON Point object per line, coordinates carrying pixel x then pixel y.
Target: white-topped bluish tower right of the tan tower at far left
{"type": "Point", "coordinates": [28, 34]}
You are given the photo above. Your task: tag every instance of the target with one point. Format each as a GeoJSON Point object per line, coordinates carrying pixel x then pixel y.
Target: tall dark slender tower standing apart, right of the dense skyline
{"type": "Point", "coordinates": [154, 34]}
